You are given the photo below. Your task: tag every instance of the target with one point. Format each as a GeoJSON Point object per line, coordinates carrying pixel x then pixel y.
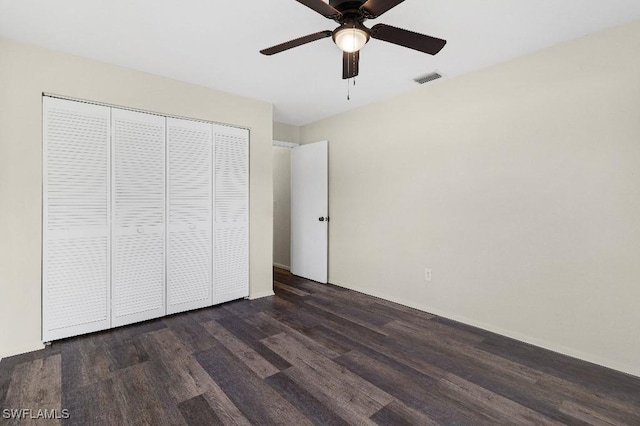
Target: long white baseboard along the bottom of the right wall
{"type": "Point", "coordinates": [633, 370]}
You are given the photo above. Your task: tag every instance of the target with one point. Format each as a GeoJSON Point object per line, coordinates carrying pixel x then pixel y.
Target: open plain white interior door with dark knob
{"type": "Point", "coordinates": [310, 210]}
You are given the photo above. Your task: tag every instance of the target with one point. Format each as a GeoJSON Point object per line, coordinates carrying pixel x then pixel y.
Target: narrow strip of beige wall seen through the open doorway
{"type": "Point", "coordinates": [282, 207]}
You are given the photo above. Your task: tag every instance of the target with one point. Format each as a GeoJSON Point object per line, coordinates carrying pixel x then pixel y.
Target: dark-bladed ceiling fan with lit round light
{"type": "Point", "coordinates": [352, 35]}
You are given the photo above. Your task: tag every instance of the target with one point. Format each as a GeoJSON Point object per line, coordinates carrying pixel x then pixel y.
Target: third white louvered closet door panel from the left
{"type": "Point", "coordinates": [189, 191]}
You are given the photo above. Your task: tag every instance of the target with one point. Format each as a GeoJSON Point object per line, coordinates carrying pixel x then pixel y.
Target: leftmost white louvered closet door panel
{"type": "Point", "coordinates": [75, 250]}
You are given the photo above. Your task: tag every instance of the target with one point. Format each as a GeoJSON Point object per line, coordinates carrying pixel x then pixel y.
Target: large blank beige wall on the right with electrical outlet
{"type": "Point", "coordinates": [519, 186]}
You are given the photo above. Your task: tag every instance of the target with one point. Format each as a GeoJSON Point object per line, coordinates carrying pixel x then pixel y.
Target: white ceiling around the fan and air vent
{"type": "Point", "coordinates": [215, 43]}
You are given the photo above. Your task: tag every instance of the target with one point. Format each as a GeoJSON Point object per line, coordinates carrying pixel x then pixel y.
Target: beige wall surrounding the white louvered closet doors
{"type": "Point", "coordinates": [26, 72]}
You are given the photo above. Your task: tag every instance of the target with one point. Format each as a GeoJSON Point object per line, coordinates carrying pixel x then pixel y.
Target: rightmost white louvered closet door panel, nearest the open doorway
{"type": "Point", "coordinates": [231, 206]}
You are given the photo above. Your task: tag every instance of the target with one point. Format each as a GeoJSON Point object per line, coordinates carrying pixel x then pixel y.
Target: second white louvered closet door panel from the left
{"type": "Point", "coordinates": [138, 217]}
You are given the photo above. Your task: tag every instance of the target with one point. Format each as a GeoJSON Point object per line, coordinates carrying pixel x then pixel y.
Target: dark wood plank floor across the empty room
{"type": "Point", "coordinates": [313, 354]}
